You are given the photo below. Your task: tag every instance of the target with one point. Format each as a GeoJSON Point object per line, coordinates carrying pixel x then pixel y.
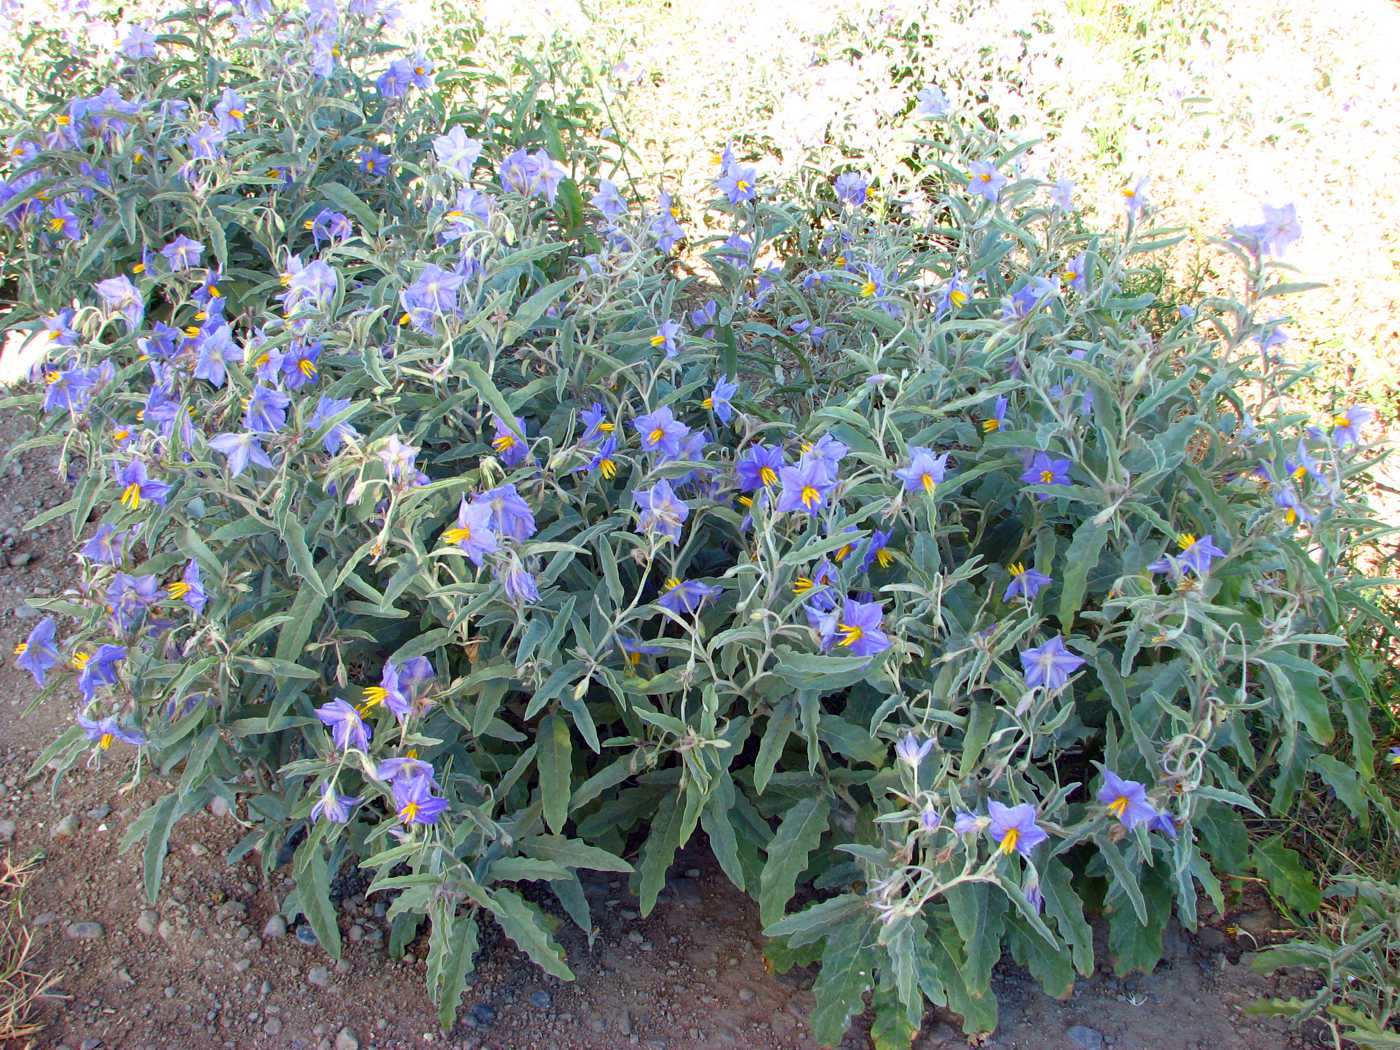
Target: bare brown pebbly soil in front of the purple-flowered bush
{"type": "Point", "coordinates": [198, 971]}
